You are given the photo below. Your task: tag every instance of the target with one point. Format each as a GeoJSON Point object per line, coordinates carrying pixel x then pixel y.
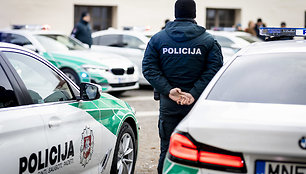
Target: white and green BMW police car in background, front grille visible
{"type": "Point", "coordinates": [111, 71]}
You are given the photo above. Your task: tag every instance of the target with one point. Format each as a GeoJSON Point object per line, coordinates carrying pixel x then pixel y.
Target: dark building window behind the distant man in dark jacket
{"type": "Point", "coordinates": [101, 16]}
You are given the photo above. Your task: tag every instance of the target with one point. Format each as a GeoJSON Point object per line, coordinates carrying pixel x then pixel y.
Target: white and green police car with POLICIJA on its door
{"type": "Point", "coordinates": [49, 125]}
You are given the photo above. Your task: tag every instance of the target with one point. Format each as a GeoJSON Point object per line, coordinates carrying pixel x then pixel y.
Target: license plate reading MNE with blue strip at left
{"type": "Point", "coordinates": [274, 167]}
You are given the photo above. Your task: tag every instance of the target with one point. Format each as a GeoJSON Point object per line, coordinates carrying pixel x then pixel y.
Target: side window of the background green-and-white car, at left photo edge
{"type": "Point", "coordinates": [15, 39]}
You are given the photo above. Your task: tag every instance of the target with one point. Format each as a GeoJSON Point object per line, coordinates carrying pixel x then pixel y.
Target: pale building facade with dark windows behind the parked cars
{"type": "Point", "coordinates": [62, 15]}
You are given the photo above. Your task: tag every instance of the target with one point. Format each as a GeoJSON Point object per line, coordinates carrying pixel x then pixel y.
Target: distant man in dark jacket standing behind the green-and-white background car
{"type": "Point", "coordinates": [82, 30]}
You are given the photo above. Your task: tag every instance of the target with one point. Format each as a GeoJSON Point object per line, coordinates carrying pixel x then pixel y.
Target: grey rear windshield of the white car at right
{"type": "Point", "coordinates": [266, 78]}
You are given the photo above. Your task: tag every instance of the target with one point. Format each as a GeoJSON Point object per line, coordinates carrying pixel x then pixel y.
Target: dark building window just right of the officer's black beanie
{"type": "Point", "coordinates": [221, 17]}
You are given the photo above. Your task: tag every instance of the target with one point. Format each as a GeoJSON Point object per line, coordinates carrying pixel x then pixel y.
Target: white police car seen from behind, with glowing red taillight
{"type": "Point", "coordinates": [251, 117]}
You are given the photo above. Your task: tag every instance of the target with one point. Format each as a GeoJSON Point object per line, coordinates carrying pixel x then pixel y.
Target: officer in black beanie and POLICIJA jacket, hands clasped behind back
{"type": "Point", "coordinates": [179, 62]}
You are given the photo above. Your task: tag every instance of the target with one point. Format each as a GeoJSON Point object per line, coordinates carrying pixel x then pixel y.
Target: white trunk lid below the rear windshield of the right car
{"type": "Point", "coordinates": [248, 127]}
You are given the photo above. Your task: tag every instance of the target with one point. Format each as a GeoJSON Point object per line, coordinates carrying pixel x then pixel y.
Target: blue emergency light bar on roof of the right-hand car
{"type": "Point", "coordinates": [279, 32]}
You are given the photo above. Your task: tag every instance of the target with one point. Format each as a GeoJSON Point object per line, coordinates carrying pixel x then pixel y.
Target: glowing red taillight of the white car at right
{"type": "Point", "coordinates": [184, 149]}
